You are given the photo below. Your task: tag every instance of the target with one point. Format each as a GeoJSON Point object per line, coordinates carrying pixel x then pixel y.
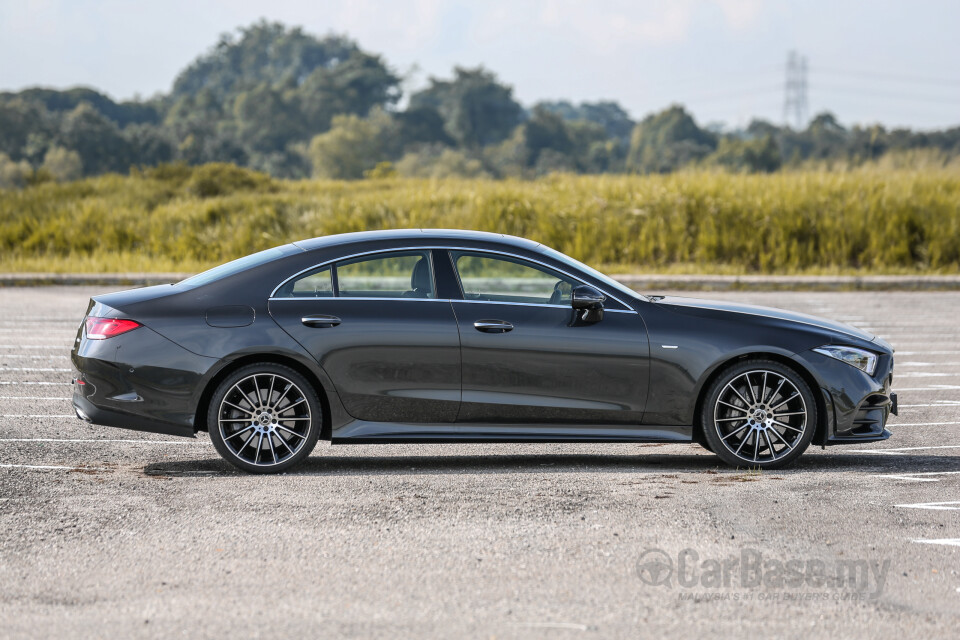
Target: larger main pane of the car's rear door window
{"type": "Point", "coordinates": [406, 274]}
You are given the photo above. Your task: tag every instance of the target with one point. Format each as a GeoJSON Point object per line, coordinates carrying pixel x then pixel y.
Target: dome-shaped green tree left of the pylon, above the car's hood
{"type": "Point", "coordinates": [666, 141]}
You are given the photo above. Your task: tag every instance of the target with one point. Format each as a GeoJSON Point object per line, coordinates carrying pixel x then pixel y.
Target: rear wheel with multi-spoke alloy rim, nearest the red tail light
{"type": "Point", "coordinates": [264, 418]}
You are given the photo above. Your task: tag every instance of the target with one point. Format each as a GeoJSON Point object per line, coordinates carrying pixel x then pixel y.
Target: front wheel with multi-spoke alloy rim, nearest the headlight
{"type": "Point", "coordinates": [760, 414]}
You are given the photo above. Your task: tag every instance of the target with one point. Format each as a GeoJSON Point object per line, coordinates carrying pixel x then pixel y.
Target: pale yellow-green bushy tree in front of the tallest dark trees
{"type": "Point", "coordinates": [352, 146]}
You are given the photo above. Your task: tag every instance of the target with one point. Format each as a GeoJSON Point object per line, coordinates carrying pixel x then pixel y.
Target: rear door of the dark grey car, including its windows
{"type": "Point", "coordinates": [375, 325]}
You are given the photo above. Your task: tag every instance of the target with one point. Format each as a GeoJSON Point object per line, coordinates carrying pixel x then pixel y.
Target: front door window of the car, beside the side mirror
{"type": "Point", "coordinates": [503, 279]}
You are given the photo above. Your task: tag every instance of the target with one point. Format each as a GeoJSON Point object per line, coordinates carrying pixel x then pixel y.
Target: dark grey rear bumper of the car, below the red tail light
{"type": "Point", "coordinates": [140, 381]}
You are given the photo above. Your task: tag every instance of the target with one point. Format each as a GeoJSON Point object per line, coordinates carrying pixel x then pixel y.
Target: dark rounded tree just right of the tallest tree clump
{"type": "Point", "coordinates": [476, 109]}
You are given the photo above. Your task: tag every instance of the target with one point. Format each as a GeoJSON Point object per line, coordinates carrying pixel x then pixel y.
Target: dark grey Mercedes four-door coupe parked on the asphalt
{"type": "Point", "coordinates": [462, 336]}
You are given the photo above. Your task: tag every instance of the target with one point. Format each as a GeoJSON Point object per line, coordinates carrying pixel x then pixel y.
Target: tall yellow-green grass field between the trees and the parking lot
{"type": "Point", "coordinates": [185, 219]}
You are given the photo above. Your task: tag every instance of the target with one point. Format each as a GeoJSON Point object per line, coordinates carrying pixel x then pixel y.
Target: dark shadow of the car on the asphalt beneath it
{"type": "Point", "coordinates": [566, 463]}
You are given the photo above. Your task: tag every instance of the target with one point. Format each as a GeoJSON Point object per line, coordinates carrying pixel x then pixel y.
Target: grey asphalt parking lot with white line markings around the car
{"type": "Point", "coordinates": [112, 533]}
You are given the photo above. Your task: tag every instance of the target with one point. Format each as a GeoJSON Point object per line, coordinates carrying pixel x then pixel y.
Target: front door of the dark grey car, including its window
{"type": "Point", "coordinates": [525, 359]}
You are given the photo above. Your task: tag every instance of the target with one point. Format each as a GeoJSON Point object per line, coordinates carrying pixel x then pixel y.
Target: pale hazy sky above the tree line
{"type": "Point", "coordinates": [877, 61]}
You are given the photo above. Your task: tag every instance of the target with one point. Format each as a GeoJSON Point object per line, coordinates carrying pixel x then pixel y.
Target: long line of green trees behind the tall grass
{"type": "Point", "coordinates": [281, 101]}
